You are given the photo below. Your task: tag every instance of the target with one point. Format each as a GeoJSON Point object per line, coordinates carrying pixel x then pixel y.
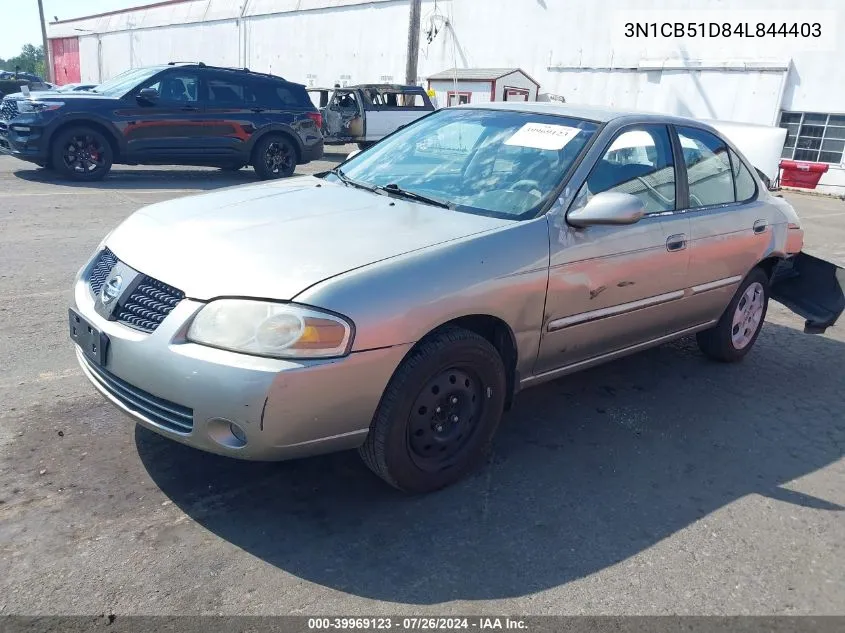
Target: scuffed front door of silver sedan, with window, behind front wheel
{"type": "Point", "coordinates": [614, 287]}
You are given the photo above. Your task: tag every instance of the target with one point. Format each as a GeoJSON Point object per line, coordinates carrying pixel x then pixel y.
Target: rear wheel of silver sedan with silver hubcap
{"type": "Point", "coordinates": [730, 340]}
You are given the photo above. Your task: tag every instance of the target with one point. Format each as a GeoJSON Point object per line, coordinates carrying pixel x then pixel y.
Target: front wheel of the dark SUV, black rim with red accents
{"type": "Point", "coordinates": [82, 154]}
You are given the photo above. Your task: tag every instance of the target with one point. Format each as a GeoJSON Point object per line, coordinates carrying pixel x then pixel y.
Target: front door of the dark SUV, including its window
{"type": "Point", "coordinates": [169, 125]}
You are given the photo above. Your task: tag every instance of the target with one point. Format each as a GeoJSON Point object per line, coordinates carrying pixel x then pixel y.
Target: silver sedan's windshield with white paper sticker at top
{"type": "Point", "coordinates": [493, 162]}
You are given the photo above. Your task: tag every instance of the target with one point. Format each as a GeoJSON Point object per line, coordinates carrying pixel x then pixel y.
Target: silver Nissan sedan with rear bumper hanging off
{"type": "Point", "coordinates": [399, 302]}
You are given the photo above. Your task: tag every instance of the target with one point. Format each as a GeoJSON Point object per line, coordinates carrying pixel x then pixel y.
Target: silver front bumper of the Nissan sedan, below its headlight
{"type": "Point", "coordinates": [286, 409]}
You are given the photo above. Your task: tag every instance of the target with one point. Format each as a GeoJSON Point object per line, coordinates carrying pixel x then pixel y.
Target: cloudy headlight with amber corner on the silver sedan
{"type": "Point", "coordinates": [277, 330]}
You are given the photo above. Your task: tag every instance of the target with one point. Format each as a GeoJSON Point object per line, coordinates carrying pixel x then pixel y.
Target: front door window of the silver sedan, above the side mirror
{"type": "Point", "coordinates": [638, 162]}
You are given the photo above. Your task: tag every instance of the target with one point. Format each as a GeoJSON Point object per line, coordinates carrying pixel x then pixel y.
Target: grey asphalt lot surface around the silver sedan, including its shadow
{"type": "Point", "coordinates": [661, 483]}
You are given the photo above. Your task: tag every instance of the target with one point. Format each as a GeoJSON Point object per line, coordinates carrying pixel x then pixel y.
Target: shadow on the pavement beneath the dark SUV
{"type": "Point", "coordinates": [147, 178]}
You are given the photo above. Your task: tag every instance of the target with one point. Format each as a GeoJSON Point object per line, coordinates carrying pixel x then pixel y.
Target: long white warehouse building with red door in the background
{"type": "Point", "coordinates": [577, 49]}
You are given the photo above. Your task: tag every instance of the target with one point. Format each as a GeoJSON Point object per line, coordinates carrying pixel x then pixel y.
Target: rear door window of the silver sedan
{"type": "Point", "coordinates": [708, 164]}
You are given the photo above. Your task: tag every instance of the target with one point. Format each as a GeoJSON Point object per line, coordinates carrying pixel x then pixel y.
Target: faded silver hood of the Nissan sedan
{"type": "Point", "coordinates": [275, 239]}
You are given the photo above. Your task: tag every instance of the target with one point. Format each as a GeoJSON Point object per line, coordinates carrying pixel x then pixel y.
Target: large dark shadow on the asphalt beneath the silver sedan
{"type": "Point", "coordinates": [586, 472]}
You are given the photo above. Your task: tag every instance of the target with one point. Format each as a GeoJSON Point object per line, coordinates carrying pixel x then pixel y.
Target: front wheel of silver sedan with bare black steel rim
{"type": "Point", "coordinates": [459, 375]}
